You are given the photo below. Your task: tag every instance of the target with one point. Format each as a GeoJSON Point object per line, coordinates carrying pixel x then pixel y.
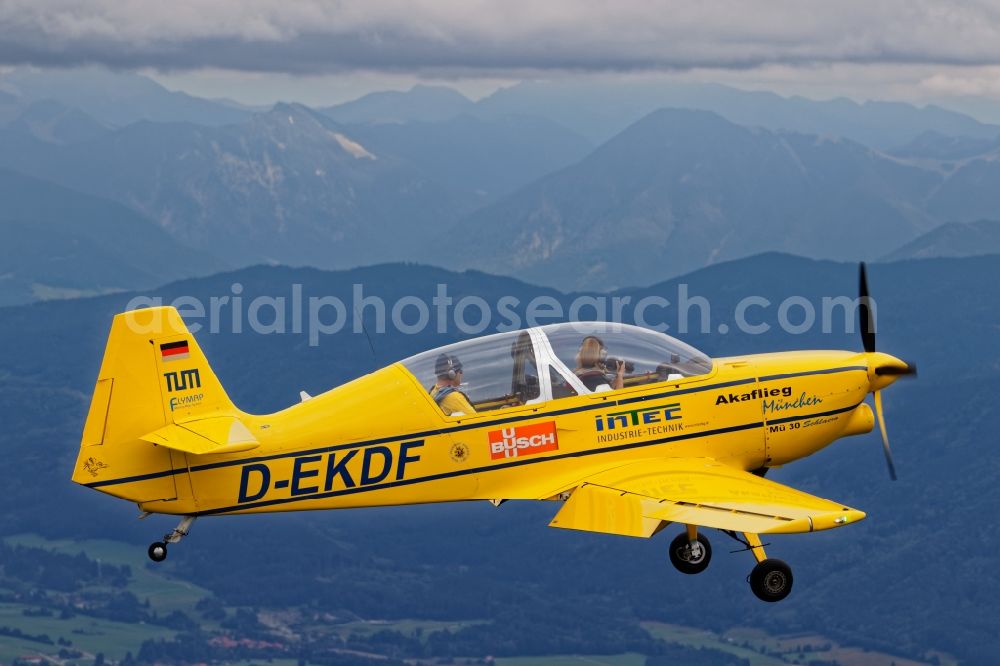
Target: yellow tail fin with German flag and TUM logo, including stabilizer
{"type": "Point", "coordinates": [155, 388]}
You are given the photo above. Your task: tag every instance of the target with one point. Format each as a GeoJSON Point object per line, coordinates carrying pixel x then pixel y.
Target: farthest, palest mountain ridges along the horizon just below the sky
{"type": "Point", "coordinates": [596, 110]}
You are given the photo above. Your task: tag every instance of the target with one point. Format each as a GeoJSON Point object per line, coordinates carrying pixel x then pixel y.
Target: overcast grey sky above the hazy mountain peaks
{"type": "Point", "coordinates": [321, 52]}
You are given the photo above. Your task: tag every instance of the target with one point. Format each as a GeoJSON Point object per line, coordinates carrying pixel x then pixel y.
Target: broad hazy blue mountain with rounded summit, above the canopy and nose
{"type": "Point", "coordinates": [679, 190]}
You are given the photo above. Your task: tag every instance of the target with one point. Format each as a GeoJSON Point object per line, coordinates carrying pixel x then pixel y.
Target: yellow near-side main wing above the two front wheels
{"type": "Point", "coordinates": [640, 498]}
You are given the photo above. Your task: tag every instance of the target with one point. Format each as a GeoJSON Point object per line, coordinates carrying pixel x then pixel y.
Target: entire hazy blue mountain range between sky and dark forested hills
{"type": "Point", "coordinates": [524, 182]}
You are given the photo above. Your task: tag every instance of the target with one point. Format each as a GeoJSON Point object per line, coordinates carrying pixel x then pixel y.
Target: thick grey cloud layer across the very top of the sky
{"type": "Point", "coordinates": [494, 38]}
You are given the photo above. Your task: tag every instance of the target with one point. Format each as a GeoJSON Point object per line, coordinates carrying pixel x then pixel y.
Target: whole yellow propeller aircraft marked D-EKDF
{"type": "Point", "coordinates": [625, 447]}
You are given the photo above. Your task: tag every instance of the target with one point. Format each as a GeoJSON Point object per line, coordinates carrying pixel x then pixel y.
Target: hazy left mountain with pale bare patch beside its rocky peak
{"type": "Point", "coordinates": [292, 186]}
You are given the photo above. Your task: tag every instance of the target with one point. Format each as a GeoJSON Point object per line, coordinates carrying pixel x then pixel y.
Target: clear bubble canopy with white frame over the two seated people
{"type": "Point", "coordinates": [556, 361]}
